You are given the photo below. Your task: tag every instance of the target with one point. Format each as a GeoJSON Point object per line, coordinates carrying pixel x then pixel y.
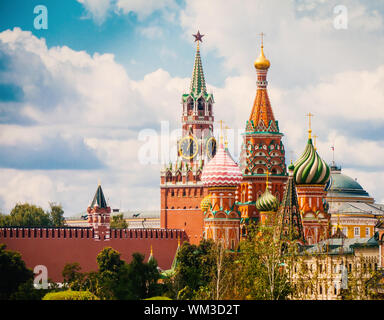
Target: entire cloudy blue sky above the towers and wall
{"type": "Point", "coordinates": [90, 98]}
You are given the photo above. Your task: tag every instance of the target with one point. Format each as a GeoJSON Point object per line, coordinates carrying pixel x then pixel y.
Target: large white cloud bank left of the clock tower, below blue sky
{"type": "Point", "coordinates": [74, 95]}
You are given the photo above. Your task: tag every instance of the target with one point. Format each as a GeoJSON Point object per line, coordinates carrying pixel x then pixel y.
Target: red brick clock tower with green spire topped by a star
{"type": "Point", "coordinates": [180, 186]}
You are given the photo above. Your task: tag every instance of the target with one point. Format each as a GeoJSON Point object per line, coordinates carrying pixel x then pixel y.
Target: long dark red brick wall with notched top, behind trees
{"type": "Point", "coordinates": [55, 252]}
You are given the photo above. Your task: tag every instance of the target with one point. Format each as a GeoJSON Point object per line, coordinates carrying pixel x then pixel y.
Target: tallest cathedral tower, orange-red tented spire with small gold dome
{"type": "Point", "coordinates": [262, 150]}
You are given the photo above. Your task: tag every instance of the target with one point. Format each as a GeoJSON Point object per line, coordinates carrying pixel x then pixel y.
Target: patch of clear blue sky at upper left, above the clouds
{"type": "Point", "coordinates": [119, 33]}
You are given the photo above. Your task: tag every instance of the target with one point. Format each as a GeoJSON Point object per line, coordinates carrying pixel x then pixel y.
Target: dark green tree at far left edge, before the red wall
{"type": "Point", "coordinates": [13, 272]}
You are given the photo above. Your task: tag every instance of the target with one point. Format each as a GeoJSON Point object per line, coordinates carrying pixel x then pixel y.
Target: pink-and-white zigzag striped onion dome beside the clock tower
{"type": "Point", "coordinates": [221, 170]}
